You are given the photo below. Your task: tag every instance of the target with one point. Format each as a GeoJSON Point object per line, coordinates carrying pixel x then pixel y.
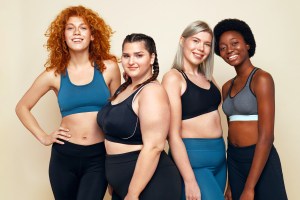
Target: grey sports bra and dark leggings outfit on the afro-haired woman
{"type": "Point", "coordinates": [243, 107]}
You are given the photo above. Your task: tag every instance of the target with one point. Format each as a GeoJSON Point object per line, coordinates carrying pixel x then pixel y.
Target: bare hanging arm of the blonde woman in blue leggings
{"type": "Point", "coordinates": [172, 83]}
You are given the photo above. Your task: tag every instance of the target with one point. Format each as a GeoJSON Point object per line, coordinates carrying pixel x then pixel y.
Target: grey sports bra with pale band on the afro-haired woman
{"type": "Point", "coordinates": [242, 106]}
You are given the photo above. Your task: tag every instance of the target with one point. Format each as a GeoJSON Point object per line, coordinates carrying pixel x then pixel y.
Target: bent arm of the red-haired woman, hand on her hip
{"type": "Point", "coordinates": [43, 83]}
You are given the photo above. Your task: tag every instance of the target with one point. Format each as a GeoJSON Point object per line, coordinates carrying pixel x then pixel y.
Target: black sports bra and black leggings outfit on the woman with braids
{"type": "Point", "coordinates": [121, 125]}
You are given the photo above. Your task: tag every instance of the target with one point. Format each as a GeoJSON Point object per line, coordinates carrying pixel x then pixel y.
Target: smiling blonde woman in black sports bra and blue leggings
{"type": "Point", "coordinates": [195, 136]}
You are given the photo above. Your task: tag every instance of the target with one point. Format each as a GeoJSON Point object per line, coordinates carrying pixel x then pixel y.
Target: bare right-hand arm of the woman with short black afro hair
{"type": "Point", "coordinates": [265, 94]}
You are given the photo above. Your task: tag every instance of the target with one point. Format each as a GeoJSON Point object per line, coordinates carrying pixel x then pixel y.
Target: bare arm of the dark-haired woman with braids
{"type": "Point", "coordinates": [154, 115]}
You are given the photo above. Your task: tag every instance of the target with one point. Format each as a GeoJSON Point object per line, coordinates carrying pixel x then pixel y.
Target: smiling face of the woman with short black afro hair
{"type": "Point", "coordinates": [233, 48]}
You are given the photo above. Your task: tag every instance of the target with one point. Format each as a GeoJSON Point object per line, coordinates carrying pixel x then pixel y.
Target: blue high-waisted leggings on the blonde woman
{"type": "Point", "coordinates": [208, 160]}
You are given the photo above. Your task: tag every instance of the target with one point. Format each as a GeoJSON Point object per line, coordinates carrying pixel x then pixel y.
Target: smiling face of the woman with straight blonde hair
{"type": "Point", "coordinates": [196, 48]}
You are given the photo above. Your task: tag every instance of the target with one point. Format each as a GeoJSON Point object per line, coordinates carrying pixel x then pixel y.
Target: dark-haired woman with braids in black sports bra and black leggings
{"type": "Point", "coordinates": [137, 167]}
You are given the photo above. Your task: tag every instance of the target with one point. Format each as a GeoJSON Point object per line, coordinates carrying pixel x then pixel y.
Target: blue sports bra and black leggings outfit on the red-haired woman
{"type": "Point", "coordinates": [77, 171]}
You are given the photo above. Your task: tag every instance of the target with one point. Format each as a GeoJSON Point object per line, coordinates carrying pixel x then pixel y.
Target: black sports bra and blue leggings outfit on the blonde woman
{"type": "Point", "coordinates": [206, 155]}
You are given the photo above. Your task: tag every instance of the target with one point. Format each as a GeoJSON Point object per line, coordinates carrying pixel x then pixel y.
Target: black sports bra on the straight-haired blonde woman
{"type": "Point", "coordinates": [197, 101]}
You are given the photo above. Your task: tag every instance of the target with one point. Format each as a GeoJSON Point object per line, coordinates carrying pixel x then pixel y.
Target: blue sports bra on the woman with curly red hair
{"type": "Point", "coordinates": [90, 97]}
